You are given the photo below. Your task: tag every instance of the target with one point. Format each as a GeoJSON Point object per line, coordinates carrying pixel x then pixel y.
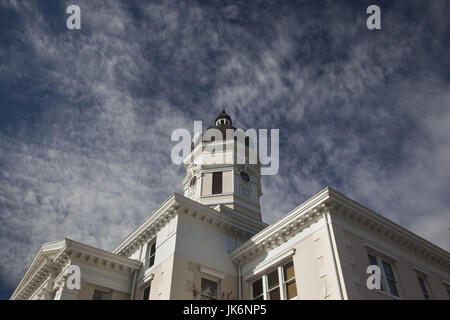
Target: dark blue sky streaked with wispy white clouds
{"type": "Point", "coordinates": [86, 115]}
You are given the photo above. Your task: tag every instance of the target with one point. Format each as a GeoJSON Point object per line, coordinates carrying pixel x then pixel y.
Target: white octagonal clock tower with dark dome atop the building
{"type": "Point", "coordinates": [223, 169]}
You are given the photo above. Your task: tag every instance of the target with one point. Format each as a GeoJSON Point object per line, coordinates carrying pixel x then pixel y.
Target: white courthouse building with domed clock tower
{"type": "Point", "coordinates": [211, 243]}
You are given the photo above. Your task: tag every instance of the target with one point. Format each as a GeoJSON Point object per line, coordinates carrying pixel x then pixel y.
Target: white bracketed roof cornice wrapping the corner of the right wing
{"type": "Point", "coordinates": [329, 200]}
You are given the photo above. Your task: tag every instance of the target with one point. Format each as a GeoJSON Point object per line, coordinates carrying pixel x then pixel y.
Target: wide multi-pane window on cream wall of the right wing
{"type": "Point", "coordinates": [279, 284]}
